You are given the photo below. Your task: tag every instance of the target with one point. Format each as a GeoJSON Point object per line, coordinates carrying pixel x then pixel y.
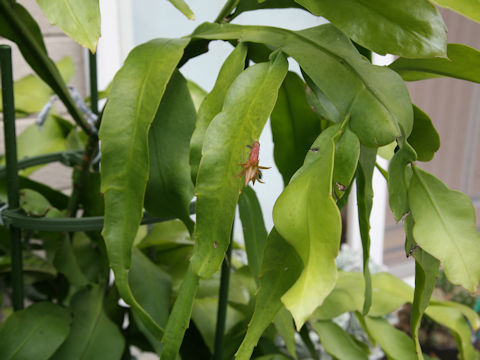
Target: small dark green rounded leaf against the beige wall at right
{"type": "Point", "coordinates": [424, 137]}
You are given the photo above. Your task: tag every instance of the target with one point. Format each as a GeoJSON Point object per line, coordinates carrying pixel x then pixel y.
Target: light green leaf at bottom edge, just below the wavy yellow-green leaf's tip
{"type": "Point", "coordinates": [337, 342]}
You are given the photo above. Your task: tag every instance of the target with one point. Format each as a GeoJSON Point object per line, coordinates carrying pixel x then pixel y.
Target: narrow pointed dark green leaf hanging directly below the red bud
{"type": "Point", "coordinates": [254, 232]}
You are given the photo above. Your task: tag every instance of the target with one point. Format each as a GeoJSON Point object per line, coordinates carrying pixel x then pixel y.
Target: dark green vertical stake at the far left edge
{"type": "Point", "coordinates": [12, 172]}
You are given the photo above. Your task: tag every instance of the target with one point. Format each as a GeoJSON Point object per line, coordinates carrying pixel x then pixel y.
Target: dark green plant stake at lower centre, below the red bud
{"type": "Point", "coordinates": [222, 302]}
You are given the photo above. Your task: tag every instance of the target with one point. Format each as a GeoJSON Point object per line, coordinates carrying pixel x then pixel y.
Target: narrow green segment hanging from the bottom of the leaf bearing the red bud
{"type": "Point", "coordinates": [180, 316]}
